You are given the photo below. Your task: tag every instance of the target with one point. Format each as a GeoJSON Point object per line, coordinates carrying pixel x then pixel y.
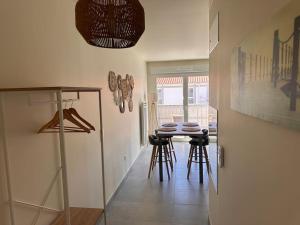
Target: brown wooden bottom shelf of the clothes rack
{"type": "Point", "coordinates": [80, 216]}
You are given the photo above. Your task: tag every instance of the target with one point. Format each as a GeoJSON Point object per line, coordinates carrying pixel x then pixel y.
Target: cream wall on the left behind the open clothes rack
{"type": "Point", "coordinates": [40, 46]}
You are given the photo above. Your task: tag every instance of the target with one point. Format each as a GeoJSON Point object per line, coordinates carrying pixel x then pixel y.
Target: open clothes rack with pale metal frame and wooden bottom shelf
{"type": "Point", "coordinates": [70, 215]}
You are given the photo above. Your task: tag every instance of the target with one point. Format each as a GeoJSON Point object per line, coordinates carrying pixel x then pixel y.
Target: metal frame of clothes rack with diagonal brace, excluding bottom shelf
{"type": "Point", "coordinates": [63, 167]}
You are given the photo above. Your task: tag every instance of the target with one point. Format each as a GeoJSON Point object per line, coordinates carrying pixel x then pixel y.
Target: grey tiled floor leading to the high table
{"type": "Point", "coordinates": [178, 201]}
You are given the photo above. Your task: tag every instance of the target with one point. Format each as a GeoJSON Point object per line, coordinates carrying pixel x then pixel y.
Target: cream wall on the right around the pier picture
{"type": "Point", "coordinates": [260, 182]}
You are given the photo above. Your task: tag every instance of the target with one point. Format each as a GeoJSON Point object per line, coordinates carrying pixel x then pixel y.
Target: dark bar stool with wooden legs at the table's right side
{"type": "Point", "coordinates": [195, 143]}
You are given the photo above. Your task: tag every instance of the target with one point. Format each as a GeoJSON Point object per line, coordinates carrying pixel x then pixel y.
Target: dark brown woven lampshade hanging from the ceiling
{"type": "Point", "coordinates": [110, 23]}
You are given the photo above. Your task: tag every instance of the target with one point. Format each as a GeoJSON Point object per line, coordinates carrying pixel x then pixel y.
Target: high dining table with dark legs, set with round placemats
{"type": "Point", "coordinates": [179, 129]}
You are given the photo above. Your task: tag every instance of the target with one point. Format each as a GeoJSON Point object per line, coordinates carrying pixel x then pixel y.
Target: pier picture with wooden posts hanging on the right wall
{"type": "Point", "coordinates": [265, 75]}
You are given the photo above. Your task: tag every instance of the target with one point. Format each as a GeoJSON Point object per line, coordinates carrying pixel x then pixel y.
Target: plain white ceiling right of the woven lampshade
{"type": "Point", "coordinates": [175, 30]}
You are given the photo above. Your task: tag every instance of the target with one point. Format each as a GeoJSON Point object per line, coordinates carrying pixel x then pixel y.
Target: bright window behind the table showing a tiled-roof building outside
{"type": "Point", "coordinates": [182, 99]}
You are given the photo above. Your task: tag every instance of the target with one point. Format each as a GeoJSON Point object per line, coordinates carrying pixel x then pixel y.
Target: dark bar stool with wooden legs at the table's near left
{"type": "Point", "coordinates": [153, 140]}
